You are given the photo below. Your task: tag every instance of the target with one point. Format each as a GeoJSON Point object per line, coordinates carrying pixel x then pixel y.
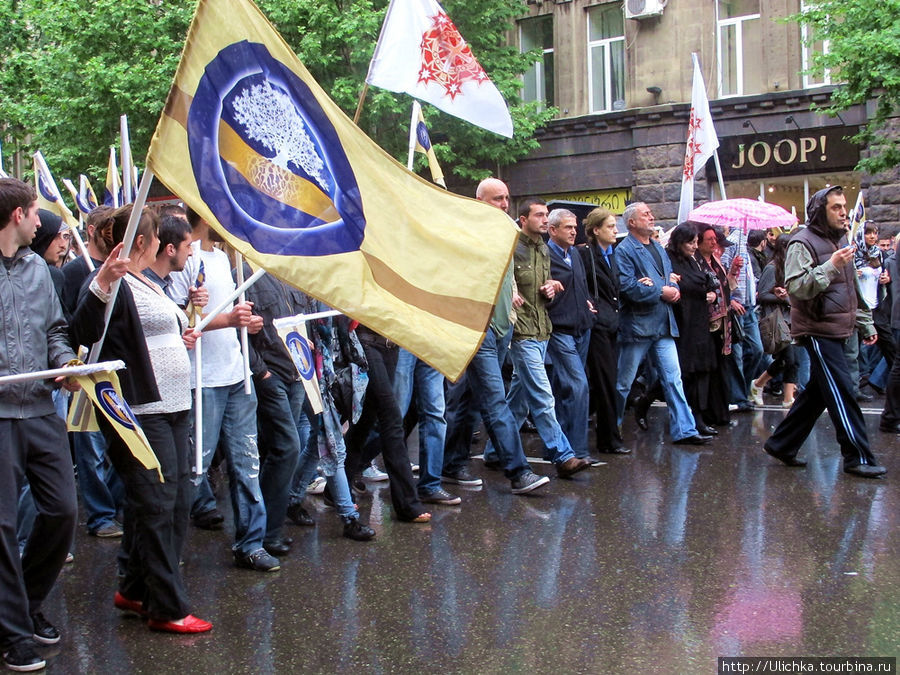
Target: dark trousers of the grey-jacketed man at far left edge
{"type": "Point", "coordinates": [35, 448]}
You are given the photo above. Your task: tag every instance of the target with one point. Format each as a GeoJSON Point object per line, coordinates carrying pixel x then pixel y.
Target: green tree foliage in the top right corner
{"type": "Point", "coordinates": [863, 55]}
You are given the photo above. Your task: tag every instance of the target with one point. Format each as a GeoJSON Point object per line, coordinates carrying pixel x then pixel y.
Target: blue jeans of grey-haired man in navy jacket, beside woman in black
{"type": "Point", "coordinates": [568, 354]}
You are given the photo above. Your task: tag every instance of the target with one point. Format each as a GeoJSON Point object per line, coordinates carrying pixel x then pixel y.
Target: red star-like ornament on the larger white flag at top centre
{"type": "Point", "coordinates": [447, 59]}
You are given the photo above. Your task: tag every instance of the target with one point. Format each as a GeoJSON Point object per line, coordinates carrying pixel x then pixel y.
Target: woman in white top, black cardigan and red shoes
{"type": "Point", "coordinates": [150, 334]}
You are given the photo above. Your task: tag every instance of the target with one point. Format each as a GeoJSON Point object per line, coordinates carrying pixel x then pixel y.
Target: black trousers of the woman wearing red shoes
{"type": "Point", "coordinates": [156, 514]}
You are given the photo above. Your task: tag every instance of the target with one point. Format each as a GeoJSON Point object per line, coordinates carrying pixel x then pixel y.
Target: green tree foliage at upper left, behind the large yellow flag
{"type": "Point", "coordinates": [70, 69]}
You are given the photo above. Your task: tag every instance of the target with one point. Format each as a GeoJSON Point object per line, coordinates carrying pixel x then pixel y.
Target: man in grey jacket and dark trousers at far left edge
{"type": "Point", "coordinates": [32, 436]}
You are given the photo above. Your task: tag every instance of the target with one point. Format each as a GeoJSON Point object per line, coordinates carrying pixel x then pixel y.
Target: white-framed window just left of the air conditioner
{"type": "Point", "coordinates": [606, 58]}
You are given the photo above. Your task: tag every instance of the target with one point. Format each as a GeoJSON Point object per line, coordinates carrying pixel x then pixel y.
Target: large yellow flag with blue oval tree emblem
{"type": "Point", "coordinates": [252, 143]}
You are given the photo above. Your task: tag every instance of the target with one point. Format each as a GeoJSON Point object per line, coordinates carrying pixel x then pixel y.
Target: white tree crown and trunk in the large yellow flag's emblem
{"type": "Point", "coordinates": [268, 116]}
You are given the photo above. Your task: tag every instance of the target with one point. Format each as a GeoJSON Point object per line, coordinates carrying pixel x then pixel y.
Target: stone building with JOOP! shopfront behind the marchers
{"type": "Point", "coordinates": [620, 75]}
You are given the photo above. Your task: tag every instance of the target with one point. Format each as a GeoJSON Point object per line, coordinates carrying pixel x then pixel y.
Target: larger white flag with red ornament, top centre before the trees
{"type": "Point", "coordinates": [420, 52]}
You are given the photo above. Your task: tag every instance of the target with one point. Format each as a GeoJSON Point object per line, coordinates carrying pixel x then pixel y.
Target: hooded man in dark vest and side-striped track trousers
{"type": "Point", "coordinates": [825, 309]}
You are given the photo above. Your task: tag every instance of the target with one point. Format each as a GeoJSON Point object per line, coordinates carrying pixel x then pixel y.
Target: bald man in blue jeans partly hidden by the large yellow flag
{"type": "Point", "coordinates": [482, 385]}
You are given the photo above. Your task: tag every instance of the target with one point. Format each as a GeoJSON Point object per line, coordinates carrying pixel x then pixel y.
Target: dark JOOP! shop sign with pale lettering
{"type": "Point", "coordinates": [808, 151]}
